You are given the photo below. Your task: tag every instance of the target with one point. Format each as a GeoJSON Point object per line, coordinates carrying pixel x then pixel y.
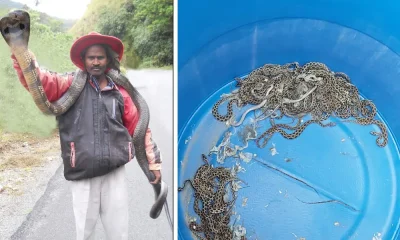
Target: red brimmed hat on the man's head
{"type": "Point", "coordinates": [90, 39]}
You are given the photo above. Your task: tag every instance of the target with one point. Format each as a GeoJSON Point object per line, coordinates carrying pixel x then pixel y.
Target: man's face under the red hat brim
{"type": "Point", "coordinates": [96, 60]}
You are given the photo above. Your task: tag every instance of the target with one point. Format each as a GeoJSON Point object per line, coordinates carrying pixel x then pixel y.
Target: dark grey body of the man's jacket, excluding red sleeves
{"type": "Point", "coordinates": [93, 138]}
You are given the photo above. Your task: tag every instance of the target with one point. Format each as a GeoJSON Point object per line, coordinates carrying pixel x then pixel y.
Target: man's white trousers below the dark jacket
{"type": "Point", "coordinates": [105, 196]}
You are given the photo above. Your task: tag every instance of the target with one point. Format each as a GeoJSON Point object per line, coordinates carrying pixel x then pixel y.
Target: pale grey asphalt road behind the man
{"type": "Point", "coordinates": [52, 218]}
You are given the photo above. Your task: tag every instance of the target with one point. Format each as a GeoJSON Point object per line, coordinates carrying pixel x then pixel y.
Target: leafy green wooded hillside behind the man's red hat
{"type": "Point", "coordinates": [145, 26]}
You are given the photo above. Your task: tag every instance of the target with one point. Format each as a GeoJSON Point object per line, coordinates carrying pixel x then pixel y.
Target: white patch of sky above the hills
{"type": "Point", "coordinates": [67, 9]}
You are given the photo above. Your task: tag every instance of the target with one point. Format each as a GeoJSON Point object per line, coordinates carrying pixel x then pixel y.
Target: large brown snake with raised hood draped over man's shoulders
{"type": "Point", "coordinates": [15, 29]}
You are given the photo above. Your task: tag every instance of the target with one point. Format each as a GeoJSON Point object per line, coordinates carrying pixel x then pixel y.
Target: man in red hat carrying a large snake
{"type": "Point", "coordinates": [95, 136]}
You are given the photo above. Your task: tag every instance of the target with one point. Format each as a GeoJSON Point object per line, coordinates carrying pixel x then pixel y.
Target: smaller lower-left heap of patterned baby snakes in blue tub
{"type": "Point", "coordinates": [210, 202]}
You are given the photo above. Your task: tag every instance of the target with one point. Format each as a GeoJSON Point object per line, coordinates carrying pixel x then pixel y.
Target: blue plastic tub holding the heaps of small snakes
{"type": "Point", "coordinates": [221, 40]}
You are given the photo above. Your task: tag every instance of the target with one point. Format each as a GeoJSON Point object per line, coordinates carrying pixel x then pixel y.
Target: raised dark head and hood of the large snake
{"type": "Point", "coordinates": [15, 28]}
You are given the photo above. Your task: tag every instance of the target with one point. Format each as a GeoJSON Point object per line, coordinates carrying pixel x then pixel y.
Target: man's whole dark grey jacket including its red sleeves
{"type": "Point", "coordinates": [95, 132]}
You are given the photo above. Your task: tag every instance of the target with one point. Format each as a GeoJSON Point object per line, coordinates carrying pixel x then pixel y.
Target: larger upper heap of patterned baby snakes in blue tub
{"type": "Point", "coordinates": [296, 91]}
